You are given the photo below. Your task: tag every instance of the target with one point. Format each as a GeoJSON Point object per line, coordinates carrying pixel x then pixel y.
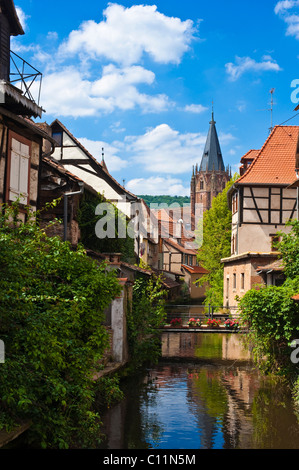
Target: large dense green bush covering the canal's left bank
{"type": "Point", "coordinates": [52, 301]}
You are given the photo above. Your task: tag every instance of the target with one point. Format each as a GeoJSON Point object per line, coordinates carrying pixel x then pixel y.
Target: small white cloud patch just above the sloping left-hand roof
{"type": "Point", "coordinates": [113, 161]}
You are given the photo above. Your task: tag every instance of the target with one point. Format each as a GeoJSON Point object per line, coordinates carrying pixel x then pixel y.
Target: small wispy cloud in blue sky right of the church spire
{"type": "Point", "coordinates": [246, 64]}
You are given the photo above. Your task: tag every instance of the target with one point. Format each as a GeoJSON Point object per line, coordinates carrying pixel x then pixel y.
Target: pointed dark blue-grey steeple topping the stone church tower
{"type": "Point", "coordinates": [212, 156]}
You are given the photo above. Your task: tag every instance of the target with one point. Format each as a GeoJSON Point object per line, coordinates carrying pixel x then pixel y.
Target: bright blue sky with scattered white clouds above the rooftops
{"type": "Point", "coordinates": [140, 79]}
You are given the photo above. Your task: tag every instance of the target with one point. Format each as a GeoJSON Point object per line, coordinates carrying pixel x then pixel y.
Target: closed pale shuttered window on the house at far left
{"type": "Point", "coordinates": [18, 168]}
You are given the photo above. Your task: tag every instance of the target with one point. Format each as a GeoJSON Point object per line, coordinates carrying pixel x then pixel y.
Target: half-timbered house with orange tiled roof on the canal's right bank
{"type": "Point", "coordinates": [262, 201]}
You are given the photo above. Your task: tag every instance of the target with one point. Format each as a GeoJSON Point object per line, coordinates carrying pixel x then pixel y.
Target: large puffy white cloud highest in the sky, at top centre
{"type": "Point", "coordinates": [126, 34]}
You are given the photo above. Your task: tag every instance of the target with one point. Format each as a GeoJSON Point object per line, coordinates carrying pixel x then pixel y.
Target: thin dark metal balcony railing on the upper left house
{"type": "Point", "coordinates": [26, 78]}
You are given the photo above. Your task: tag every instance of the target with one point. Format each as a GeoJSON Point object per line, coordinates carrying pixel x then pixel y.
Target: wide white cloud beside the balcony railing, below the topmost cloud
{"type": "Point", "coordinates": [68, 93]}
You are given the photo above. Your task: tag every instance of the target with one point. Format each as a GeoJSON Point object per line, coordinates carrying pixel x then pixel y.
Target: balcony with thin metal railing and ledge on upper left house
{"type": "Point", "coordinates": [21, 94]}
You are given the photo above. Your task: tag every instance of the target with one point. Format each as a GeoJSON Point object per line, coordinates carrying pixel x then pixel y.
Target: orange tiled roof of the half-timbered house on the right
{"type": "Point", "coordinates": [275, 162]}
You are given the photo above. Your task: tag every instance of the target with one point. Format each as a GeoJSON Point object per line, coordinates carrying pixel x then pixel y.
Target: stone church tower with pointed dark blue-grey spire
{"type": "Point", "coordinates": [211, 177]}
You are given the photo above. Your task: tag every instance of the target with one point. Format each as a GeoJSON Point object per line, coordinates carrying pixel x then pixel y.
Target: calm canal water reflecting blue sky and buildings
{"type": "Point", "coordinates": [205, 393]}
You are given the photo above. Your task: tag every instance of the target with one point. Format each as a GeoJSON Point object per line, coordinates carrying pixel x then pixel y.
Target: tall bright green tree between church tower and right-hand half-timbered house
{"type": "Point", "coordinates": [213, 237]}
